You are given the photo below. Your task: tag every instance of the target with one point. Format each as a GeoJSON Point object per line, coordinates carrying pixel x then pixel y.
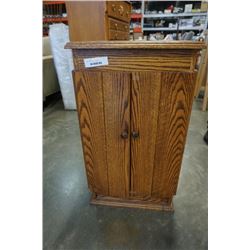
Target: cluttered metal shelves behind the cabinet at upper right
{"type": "Point", "coordinates": [152, 13]}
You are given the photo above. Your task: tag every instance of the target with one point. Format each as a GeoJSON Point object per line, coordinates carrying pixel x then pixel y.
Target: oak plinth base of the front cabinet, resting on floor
{"type": "Point", "coordinates": [132, 203]}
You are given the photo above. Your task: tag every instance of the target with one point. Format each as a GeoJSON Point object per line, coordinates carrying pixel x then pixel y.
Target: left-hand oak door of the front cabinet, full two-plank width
{"type": "Point", "coordinates": [103, 100]}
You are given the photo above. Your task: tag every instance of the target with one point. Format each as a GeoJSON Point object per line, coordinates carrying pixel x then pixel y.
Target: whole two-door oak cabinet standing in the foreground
{"type": "Point", "coordinates": [134, 115]}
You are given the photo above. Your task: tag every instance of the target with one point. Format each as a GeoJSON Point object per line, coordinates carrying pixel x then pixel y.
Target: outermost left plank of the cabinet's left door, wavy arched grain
{"type": "Point", "coordinates": [89, 97]}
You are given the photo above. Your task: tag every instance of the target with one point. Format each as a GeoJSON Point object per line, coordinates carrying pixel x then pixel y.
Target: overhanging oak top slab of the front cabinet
{"type": "Point", "coordinates": [136, 45]}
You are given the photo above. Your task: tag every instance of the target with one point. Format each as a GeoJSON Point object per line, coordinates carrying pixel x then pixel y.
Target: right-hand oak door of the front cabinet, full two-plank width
{"type": "Point", "coordinates": [161, 104]}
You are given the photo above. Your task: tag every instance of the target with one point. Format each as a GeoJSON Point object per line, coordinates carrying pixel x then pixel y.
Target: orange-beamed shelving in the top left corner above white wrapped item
{"type": "Point", "coordinates": [53, 12]}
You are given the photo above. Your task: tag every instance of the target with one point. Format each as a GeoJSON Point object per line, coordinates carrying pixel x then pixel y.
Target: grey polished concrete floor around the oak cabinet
{"type": "Point", "coordinates": [69, 222]}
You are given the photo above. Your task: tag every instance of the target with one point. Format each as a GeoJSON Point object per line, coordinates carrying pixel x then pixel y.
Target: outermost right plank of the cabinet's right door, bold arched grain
{"type": "Point", "coordinates": [177, 91]}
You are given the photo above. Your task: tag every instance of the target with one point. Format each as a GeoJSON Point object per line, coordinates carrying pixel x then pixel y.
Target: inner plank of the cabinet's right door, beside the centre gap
{"type": "Point", "coordinates": [145, 95]}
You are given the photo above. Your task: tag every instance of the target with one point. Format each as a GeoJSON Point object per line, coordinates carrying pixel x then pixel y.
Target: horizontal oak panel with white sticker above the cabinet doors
{"type": "Point", "coordinates": [141, 59]}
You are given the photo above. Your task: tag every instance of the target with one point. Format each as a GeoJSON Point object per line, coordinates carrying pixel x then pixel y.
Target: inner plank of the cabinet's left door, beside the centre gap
{"type": "Point", "coordinates": [116, 91]}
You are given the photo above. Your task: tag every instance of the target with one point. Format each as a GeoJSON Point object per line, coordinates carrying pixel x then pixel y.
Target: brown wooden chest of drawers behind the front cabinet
{"type": "Point", "coordinates": [98, 20]}
